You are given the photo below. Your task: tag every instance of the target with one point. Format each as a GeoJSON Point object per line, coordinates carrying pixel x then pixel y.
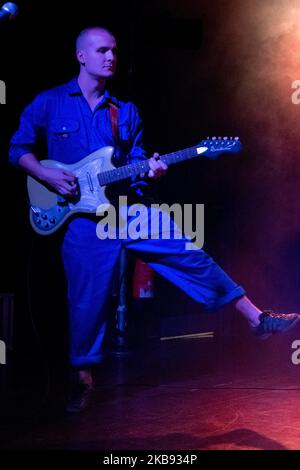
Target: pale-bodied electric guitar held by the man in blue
{"type": "Point", "coordinates": [94, 173]}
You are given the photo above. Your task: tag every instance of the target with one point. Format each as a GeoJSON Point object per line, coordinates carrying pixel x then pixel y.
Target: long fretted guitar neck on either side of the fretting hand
{"type": "Point", "coordinates": [135, 169]}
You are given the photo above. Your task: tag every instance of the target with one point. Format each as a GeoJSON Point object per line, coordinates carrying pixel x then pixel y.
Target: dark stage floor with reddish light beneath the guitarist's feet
{"type": "Point", "coordinates": [214, 393]}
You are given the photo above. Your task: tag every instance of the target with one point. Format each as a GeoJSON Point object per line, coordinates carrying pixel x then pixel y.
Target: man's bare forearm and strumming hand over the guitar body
{"type": "Point", "coordinates": [63, 181]}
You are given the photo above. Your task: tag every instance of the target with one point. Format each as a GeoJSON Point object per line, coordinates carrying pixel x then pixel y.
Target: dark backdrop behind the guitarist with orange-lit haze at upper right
{"type": "Point", "coordinates": [194, 69]}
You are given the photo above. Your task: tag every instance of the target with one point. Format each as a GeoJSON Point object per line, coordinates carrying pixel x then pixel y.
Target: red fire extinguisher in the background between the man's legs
{"type": "Point", "coordinates": [143, 280]}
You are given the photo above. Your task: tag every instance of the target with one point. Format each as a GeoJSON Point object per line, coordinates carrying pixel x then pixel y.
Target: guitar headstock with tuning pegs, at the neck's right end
{"type": "Point", "coordinates": [218, 145]}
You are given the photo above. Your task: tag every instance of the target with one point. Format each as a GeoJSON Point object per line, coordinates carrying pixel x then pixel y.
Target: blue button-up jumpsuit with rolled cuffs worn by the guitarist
{"type": "Point", "coordinates": [62, 118]}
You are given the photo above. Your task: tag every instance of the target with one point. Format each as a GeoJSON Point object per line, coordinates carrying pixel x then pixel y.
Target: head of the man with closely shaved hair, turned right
{"type": "Point", "coordinates": [99, 54]}
